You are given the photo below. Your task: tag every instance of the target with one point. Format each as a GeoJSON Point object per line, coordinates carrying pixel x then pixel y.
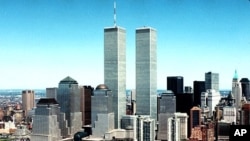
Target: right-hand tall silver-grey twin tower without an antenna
{"type": "Point", "coordinates": [146, 72]}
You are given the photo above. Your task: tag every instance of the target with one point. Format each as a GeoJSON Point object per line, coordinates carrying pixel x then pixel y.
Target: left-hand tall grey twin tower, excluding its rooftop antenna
{"type": "Point", "coordinates": [115, 68]}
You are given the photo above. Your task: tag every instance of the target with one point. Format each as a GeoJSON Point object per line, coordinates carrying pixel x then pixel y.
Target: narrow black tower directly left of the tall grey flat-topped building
{"type": "Point", "coordinates": [199, 87]}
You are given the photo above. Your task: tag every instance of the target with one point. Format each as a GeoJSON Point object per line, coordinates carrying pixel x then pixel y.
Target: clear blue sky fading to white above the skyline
{"type": "Point", "coordinates": [43, 41]}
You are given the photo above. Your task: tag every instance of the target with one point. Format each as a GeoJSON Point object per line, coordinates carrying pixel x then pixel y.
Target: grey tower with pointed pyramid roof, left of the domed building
{"type": "Point", "coordinates": [68, 97]}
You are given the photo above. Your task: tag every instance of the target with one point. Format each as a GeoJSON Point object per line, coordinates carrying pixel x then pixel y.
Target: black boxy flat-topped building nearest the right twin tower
{"type": "Point", "coordinates": [175, 83]}
